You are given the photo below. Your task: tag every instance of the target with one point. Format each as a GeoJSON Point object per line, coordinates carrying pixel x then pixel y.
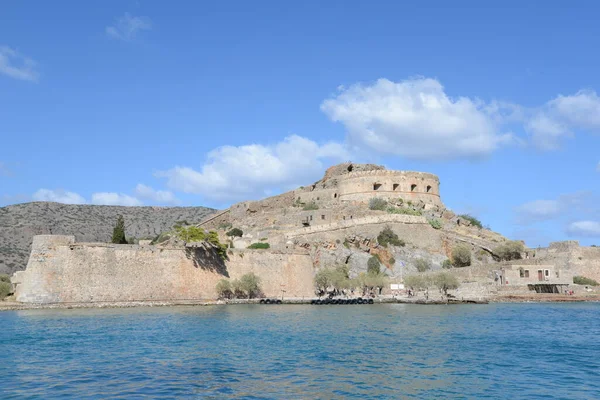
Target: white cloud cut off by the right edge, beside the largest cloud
{"type": "Point", "coordinates": [558, 118]}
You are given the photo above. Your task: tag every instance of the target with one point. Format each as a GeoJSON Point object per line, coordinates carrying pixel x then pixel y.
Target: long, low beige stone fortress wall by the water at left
{"type": "Point", "coordinates": [60, 271]}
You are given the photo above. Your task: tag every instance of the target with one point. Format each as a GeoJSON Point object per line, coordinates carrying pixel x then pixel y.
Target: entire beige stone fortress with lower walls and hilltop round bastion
{"type": "Point", "coordinates": [321, 225]}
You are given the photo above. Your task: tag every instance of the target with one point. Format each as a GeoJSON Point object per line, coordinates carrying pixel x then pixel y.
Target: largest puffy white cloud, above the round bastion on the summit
{"type": "Point", "coordinates": [416, 119]}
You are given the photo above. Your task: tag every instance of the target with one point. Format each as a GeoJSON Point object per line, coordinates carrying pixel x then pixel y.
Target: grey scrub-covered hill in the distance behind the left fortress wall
{"type": "Point", "coordinates": [89, 223]}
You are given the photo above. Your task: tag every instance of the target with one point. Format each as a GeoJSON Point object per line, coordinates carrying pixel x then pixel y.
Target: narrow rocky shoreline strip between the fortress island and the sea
{"type": "Point", "coordinates": [16, 306]}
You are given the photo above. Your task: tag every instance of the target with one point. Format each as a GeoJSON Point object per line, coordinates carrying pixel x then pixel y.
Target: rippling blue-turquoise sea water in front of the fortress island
{"type": "Point", "coordinates": [304, 352]}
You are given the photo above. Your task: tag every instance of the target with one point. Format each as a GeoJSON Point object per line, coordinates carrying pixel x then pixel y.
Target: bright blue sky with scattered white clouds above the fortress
{"type": "Point", "coordinates": [210, 103]}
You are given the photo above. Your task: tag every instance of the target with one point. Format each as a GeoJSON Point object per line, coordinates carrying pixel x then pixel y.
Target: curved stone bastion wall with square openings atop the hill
{"type": "Point", "coordinates": [391, 184]}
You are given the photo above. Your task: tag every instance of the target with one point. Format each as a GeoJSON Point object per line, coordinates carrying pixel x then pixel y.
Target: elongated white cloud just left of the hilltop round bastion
{"type": "Point", "coordinates": [251, 171]}
